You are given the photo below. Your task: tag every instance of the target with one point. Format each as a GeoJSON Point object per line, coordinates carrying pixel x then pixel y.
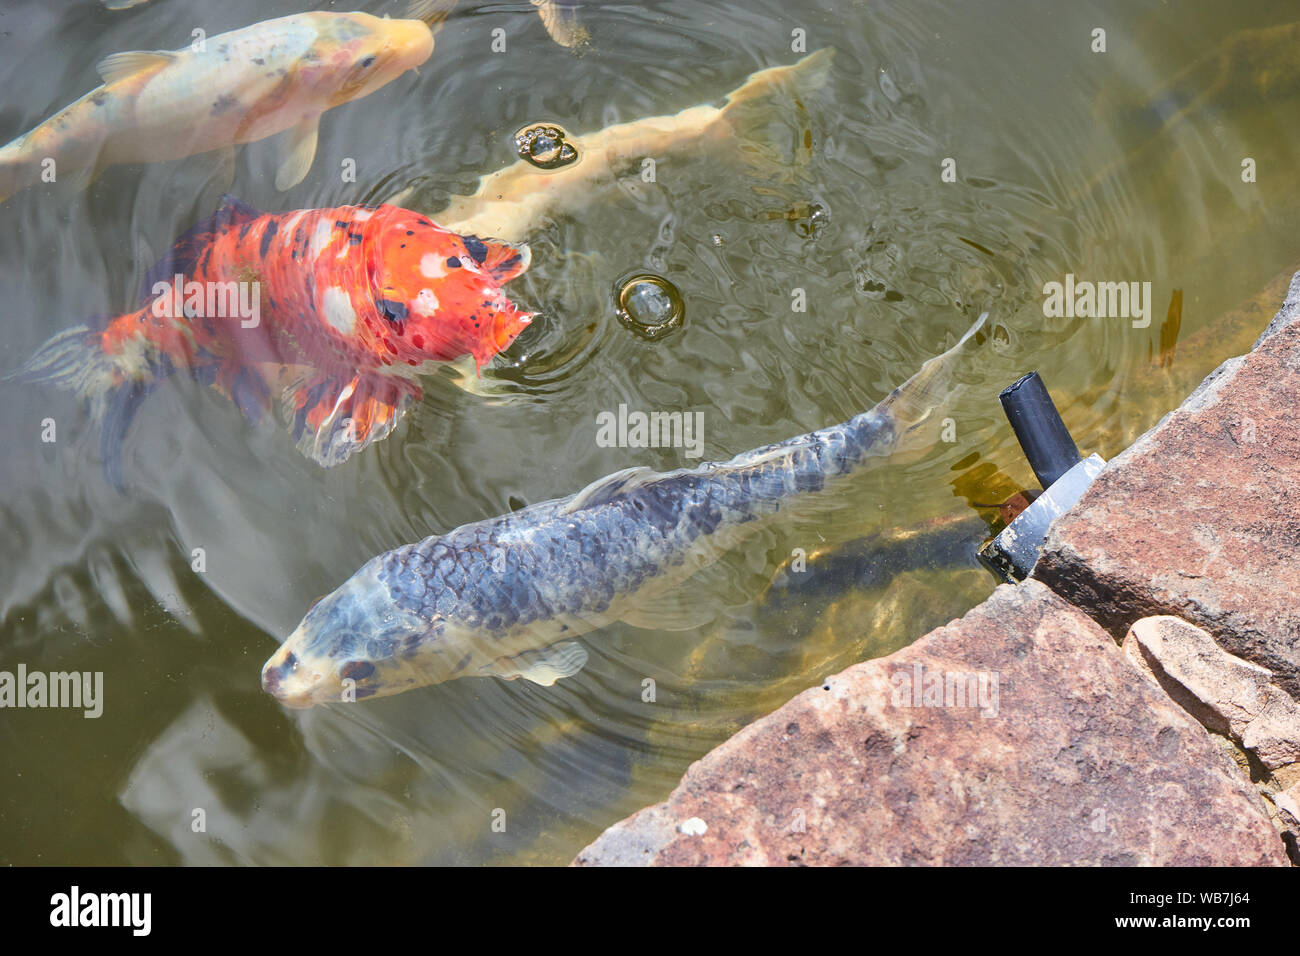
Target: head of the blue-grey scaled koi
{"type": "Point", "coordinates": [354, 644]}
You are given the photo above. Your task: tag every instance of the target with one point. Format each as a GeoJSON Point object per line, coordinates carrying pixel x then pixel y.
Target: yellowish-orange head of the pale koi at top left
{"type": "Point", "coordinates": [366, 53]}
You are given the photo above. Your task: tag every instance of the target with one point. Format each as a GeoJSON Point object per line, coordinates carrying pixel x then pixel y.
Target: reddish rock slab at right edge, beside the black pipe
{"type": "Point", "coordinates": [1199, 517]}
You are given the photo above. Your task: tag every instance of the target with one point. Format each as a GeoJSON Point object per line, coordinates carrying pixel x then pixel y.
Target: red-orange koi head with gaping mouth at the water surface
{"type": "Point", "coordinates": [439, 293]}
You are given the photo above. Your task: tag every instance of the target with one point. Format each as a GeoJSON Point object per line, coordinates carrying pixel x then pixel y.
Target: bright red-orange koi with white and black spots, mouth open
{"type": "Point", "coordinates": [337, 312]}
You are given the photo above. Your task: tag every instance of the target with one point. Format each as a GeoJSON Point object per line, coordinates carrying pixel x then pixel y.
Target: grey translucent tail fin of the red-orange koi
{"type": "Point", "coordinates": [76, 361]}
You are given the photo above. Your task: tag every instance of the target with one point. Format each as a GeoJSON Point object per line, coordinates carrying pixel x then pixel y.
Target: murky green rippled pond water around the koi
{"type": "Point", "coordinates": [1124, 166]}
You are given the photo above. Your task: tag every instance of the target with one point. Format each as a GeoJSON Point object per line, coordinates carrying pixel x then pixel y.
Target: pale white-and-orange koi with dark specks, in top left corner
{"type": "Point", "coordinates": [236, 88]}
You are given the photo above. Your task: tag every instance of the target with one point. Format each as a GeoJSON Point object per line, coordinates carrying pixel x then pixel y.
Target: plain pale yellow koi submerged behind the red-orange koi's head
{"type": "Point", "coordinates": [512, 201]}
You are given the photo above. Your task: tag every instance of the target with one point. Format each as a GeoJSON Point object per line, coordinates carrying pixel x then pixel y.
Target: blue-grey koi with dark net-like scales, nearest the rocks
{"type": "Point", "coordinates": [505, 596]}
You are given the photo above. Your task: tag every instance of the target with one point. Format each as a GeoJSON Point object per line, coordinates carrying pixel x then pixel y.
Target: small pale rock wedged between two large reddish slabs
{"type": "Point", "coordinates": [1228, 695]}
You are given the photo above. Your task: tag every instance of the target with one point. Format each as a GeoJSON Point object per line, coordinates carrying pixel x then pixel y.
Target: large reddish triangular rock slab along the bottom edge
{"type": "Point", "coordinates": [1064, 754]}
